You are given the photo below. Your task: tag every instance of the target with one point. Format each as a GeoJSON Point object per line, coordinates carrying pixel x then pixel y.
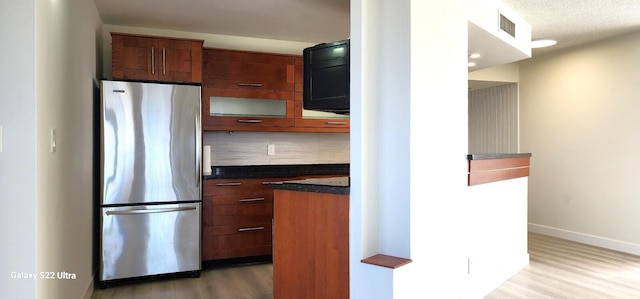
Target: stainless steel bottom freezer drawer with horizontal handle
{"type": "Point", "coordinates": [149, 240]}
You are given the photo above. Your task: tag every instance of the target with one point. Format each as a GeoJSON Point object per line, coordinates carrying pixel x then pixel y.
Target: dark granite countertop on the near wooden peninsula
{"type": "Point", "coordinates": [337, 185]}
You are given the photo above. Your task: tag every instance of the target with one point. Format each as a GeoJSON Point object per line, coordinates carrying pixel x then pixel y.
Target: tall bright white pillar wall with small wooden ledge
{"type": "Point", "coordinates": [409, 124]}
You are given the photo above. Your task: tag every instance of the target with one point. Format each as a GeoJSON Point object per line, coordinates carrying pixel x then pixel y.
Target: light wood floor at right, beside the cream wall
{"type": "Point", "coordinates": [565, 269]}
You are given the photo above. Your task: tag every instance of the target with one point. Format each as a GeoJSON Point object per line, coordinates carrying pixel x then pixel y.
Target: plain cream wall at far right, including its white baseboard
{"type": "Point", "coordinates": [579, 118]}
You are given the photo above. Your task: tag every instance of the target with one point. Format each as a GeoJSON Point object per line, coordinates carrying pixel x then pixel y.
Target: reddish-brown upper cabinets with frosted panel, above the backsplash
{"type": "Point", "coordinates": [254, 91]}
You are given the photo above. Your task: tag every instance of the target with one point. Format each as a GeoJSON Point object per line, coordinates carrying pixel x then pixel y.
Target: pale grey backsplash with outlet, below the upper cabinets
{"type": "Point", "coordinates": [250, 148]}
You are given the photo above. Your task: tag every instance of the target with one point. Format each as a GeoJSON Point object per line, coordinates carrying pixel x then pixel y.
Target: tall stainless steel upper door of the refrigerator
{"type": "Point", "coordinates": [150, 139]}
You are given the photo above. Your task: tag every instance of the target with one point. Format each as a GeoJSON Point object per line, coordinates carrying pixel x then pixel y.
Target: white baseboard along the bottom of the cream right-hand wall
{"type": "Point", "coordinates": [612, 244]}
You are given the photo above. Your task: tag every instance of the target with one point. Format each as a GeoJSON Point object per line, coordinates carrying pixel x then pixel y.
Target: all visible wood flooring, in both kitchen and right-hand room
{"type": "Point", "coordinates": [558, 269]}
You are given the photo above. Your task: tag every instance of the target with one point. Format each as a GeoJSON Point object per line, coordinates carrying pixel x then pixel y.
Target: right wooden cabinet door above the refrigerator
{"type": "Point", "coordinates": [179, 60]}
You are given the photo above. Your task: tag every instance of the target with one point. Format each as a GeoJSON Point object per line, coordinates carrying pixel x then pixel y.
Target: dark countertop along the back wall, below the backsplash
{"type": "Point", "coordinates": [275, 171]}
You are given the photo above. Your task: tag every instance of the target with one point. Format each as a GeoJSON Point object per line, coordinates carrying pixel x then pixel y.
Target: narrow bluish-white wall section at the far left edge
{"type": "Point", "coordinates": [17, 158]}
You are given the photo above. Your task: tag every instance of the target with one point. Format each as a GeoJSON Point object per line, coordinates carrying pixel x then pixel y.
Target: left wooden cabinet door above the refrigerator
{"type": "Point", "coordinates": [134, 57]}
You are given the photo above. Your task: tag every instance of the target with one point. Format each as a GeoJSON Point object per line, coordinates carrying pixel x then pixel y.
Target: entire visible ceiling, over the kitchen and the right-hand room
{"type": "Point", "coordinates": [571, 22]}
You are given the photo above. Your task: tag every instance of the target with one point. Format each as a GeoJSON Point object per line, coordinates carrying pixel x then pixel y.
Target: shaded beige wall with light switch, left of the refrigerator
{"type": "Point", "coordinates": [68, 41]}
